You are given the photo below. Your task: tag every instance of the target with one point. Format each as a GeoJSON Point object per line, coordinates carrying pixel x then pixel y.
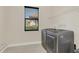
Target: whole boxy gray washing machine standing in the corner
{"type": "Point", "coordinates": [58, 40]}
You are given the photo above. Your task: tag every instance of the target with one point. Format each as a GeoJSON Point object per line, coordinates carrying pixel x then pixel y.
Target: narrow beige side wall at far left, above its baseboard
{"type": "Point", "coordinates": [2, 24]}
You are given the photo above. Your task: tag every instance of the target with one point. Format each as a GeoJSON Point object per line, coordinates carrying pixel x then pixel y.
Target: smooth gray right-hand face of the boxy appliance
{"type": "Point", "coordinates": [65, 43]}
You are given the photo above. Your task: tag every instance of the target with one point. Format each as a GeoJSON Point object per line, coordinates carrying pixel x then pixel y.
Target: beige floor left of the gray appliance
{"type": "Point", "coordinates": [36, 48]}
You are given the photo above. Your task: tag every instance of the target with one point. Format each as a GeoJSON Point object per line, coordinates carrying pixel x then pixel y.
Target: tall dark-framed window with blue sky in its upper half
{"type": "Point", "coordinates": [31, 18]}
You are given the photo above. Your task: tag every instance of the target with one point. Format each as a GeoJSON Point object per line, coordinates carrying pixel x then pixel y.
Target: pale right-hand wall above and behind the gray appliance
{"type": "Point", "coordinates": [66, 18]}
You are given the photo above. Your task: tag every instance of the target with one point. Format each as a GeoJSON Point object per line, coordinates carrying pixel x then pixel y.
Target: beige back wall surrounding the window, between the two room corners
{"type": "Point", "coordinates": [14, 31]}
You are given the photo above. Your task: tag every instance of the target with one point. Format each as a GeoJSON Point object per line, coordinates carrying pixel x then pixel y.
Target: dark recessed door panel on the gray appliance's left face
{"type": "Point", "coordinates": [51, 42]}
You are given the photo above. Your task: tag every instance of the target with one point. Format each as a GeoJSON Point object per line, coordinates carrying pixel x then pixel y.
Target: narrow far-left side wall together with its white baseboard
{"type": "Point", "coordinates": [3, 42]}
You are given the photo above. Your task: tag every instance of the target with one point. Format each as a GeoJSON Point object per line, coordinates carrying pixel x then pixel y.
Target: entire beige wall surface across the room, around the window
{"type": "Point", "coordinates": [12, 23]}
